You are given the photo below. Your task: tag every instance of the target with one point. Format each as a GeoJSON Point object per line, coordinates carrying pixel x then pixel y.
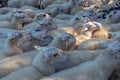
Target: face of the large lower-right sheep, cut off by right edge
{"type": "Point", "coordinates": [115, 49]}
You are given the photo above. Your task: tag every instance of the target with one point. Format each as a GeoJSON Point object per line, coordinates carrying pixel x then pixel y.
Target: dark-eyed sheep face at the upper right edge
{"type": "Point", "coordinates": [113, 17]}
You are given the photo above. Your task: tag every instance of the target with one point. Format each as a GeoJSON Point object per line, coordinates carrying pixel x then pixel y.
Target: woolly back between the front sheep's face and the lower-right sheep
{"type": "Point", "coordinates": [75, 58]}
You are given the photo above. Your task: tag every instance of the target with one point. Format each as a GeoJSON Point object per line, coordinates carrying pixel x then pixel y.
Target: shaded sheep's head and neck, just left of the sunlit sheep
{"type": "Point", "coordinates": [63, 41]}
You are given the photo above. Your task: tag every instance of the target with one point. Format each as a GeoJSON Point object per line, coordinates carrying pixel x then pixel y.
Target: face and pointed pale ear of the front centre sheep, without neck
{"type": "Point", "coordinates": [52, 54]}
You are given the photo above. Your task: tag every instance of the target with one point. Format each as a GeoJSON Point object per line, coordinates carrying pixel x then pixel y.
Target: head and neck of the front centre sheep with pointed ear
{"type": "Point", "coordinates": [44, 60]}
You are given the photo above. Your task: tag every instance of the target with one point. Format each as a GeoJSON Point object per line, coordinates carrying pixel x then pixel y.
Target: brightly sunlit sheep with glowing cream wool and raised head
{"type": "Point", "coordinates": [87, 32]}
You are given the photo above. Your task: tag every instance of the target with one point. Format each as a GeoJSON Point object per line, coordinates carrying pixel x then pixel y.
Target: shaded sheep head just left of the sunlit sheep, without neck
{"type": "Point", "coordinates": [65, 40]}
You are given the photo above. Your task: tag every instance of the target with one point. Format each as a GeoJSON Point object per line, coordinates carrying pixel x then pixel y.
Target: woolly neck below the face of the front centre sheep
{"type": "Point", "coordinates": [44, 67]}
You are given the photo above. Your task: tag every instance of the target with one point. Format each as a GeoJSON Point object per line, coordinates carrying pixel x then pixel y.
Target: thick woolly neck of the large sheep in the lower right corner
{"type": "Point", "coordinates": [107, 63]}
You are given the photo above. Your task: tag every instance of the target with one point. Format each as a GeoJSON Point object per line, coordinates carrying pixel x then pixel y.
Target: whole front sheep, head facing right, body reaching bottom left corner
{"type": "Point", "coordinates": [42, 65]}
